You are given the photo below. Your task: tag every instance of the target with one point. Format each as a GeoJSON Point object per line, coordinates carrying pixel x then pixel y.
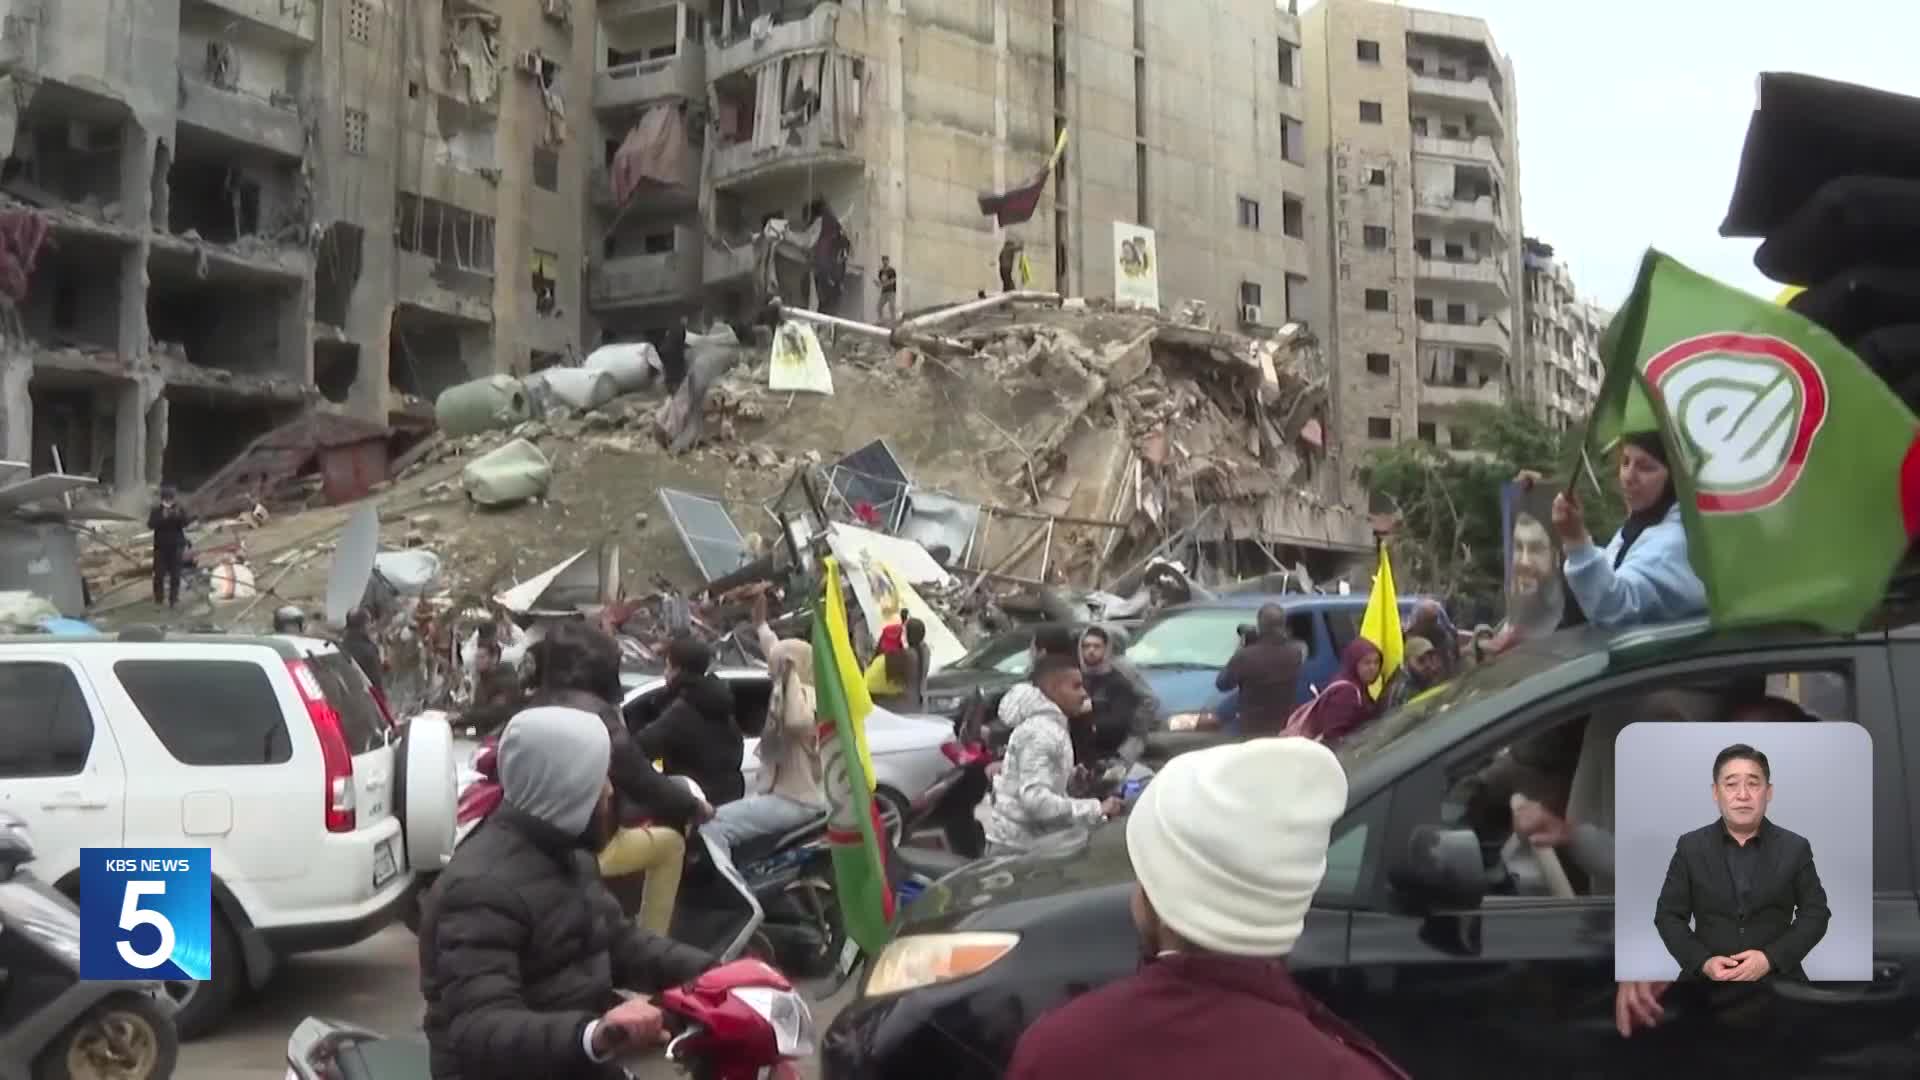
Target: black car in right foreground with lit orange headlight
{"type": "Point", "coordinates": [1489, 981]}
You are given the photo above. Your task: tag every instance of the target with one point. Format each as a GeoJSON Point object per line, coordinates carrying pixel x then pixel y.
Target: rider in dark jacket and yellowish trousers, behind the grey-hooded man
{"type": "Point", "coordinates": [579, 666]}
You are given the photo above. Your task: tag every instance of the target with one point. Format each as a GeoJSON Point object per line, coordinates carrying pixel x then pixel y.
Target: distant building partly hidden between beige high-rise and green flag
{"type": "Point", "coordinates": [1562, 341]}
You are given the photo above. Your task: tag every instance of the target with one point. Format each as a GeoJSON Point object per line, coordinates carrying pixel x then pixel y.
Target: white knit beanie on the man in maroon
{"type": "Point", "coordinates": [1232, 843]}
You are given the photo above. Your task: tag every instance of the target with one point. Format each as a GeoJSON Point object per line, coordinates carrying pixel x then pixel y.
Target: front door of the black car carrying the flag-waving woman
{"type": "Point", "coordinates": [1524, 985]}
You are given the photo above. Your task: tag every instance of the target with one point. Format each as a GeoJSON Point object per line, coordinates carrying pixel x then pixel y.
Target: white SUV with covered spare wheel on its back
{"type": "Point", "coordinates": [268, 750]}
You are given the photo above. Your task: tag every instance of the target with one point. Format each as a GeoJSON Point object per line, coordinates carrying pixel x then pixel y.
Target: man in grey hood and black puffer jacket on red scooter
{"type": "Point", "coordinates": [521, 946]}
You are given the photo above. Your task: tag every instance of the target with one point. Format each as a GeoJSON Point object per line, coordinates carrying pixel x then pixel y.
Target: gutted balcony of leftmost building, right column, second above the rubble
{"type": "Point", "coordinates": [228, 326]}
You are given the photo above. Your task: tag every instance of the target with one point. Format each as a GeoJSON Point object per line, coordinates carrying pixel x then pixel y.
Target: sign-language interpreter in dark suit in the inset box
{"type": "Point", "coordinates": [1746, 885]}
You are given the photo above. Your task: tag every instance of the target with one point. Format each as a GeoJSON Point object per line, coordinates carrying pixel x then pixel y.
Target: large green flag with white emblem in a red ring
{"type": "Point", "coordinates": [1794, 464]}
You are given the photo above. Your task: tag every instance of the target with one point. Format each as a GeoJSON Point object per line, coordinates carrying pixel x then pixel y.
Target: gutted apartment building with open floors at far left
{"type": "Point", "coordinates": [220, 214]}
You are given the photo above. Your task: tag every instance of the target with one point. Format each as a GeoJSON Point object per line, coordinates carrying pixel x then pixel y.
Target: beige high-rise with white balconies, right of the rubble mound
{"type": "Point", "coordinates": [1412, 137]}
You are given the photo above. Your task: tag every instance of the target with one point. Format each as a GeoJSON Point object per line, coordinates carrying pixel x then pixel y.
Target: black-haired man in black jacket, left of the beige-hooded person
{"type": "Point", "coordinates": [696, 735]}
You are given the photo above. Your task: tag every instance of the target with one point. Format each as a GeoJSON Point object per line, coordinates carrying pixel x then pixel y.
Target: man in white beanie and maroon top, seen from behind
{"type": "Point", "coordinates": [1228, 847]}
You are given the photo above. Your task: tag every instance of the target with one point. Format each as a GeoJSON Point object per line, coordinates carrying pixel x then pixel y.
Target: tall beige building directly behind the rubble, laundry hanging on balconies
{"type": "Point", "coordinates": [782, 147]}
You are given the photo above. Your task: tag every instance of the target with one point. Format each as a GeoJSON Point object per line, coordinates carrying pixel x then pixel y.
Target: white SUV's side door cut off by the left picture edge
{"type": "Point", "coordinates": [60, 766]}
